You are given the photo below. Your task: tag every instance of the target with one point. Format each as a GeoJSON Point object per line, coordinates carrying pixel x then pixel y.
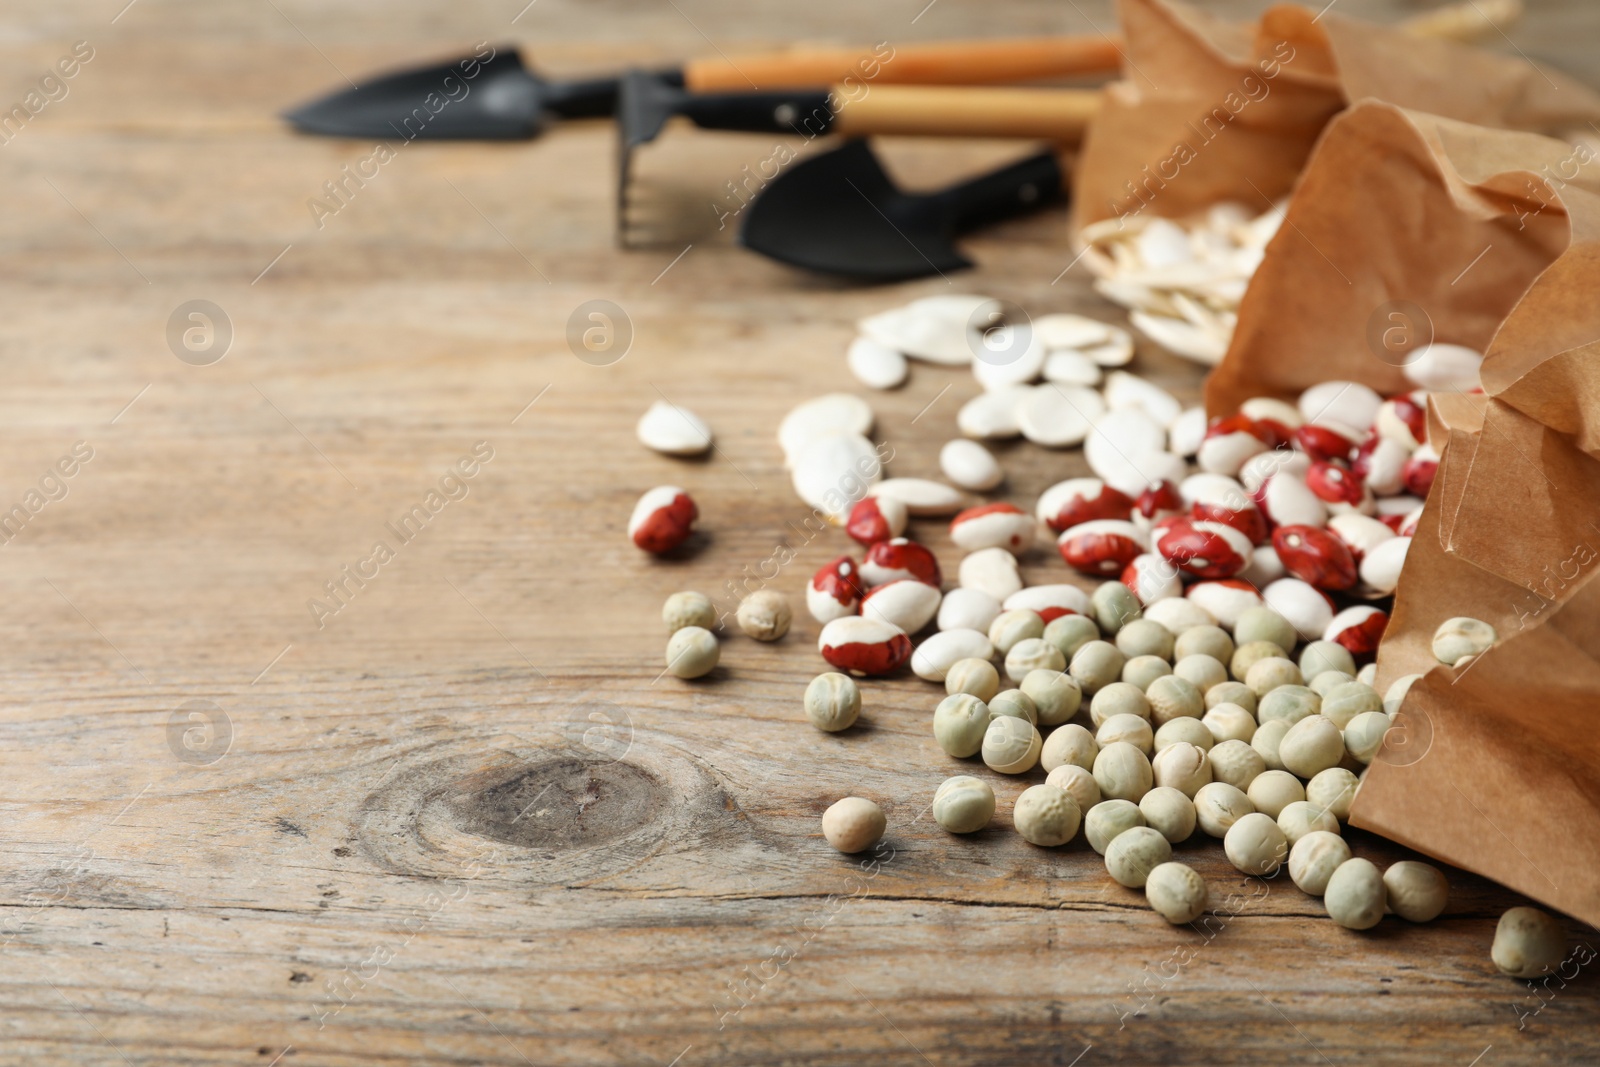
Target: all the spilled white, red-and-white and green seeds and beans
{"type": "Point", "coordinates": [1218, 681]}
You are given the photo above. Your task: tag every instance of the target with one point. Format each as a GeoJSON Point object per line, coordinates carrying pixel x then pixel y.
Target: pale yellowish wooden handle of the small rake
{"type": "Point", "coordinates": [1058, 116]}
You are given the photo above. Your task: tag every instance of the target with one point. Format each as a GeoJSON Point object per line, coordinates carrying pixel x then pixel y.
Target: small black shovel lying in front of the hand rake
{"type": "Point", "coordinates": [841, 214]}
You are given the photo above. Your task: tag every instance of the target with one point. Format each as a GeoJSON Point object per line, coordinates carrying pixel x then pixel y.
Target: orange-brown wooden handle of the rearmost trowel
{"type": "Point", "coordinates": [945, 63]}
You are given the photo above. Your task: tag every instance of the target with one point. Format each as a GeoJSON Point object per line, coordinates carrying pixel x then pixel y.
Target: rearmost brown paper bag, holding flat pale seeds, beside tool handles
{"type": "Point", "coordinates": [1210, 110]}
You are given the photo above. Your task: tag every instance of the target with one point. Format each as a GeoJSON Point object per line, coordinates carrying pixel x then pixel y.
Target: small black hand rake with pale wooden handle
{"type": "Point", "coordinates": [647, 103]}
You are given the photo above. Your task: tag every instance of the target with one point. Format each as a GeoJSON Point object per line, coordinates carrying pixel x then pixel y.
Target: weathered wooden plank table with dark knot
{"type": "Point", "coordinates": [462, 820]}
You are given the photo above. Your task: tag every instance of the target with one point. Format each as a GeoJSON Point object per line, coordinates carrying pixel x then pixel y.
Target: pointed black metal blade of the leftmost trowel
{"type": "Point", "coordinates": [470, 100]}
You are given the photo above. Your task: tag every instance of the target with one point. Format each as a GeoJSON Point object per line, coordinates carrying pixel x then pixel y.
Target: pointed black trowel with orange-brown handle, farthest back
{"type": "Point", "coordinates": [494, 97]}
